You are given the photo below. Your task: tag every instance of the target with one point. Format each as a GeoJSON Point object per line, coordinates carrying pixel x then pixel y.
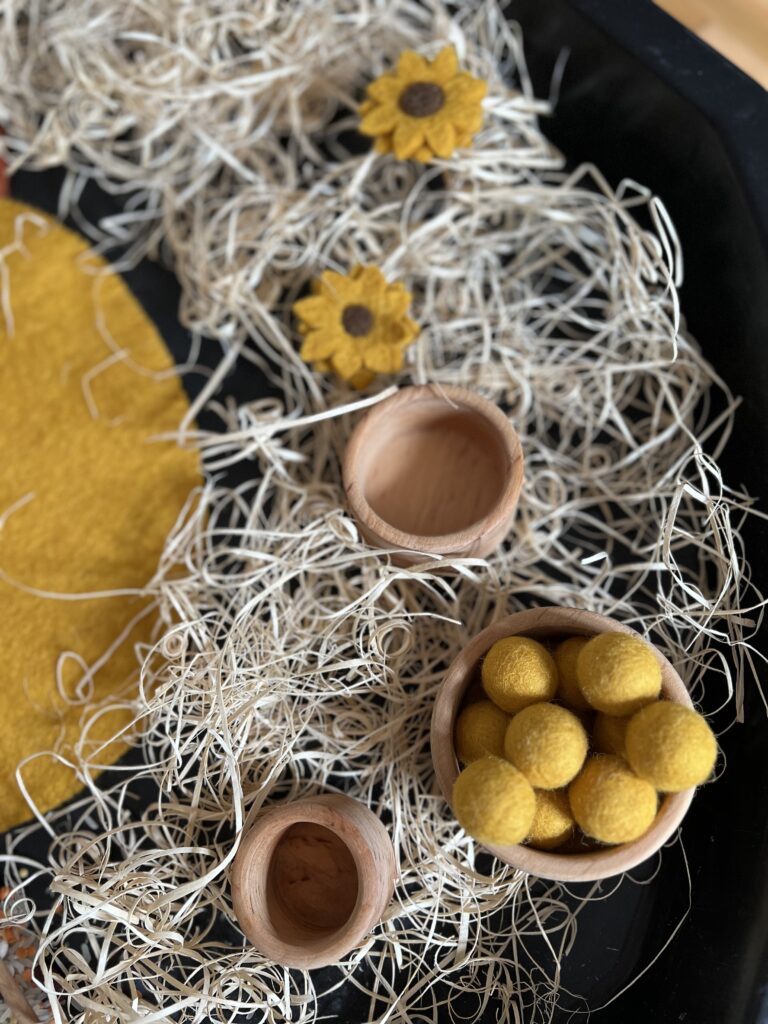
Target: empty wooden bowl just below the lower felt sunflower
{"type": "Point", "coordinates": [435, 471]}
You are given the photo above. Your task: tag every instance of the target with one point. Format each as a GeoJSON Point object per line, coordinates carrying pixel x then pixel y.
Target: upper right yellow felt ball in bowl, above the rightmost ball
{"type": "Point", "coordinates": [618, 673]}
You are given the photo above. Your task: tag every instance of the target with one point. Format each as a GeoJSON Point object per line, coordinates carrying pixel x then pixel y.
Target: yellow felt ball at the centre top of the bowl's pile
{"type": "Point", "coordinates": [548, 744]}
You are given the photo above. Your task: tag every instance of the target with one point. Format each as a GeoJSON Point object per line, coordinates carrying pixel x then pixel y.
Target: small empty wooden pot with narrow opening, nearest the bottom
{"type": "Point", "coordinates": [312, 879]}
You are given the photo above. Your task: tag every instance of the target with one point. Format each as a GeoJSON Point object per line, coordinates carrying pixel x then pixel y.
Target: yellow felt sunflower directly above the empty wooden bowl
{"type": "Point", "coordinates": [356, 324]}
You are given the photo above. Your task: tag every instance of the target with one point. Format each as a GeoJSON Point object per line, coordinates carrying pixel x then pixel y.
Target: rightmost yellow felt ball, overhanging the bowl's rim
{"type": "Point", "coordinates": [671, 746]}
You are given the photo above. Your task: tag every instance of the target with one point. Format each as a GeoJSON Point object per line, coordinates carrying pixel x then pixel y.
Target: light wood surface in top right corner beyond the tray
{"type": "Point", "coordinates": [739, 29]}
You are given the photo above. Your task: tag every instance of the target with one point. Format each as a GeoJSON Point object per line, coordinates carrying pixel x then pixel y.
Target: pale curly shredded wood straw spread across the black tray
{"type": "Point", "coordinates": [292, 659]}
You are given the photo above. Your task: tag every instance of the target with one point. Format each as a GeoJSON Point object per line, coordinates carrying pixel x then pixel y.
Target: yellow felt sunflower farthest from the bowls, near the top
{"type": "Point", "coordinates": [425, 109]}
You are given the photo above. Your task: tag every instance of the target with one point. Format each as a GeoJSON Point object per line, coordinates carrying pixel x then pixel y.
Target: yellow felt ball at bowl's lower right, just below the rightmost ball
{"type": "Point", "coordinates": [610, 802]}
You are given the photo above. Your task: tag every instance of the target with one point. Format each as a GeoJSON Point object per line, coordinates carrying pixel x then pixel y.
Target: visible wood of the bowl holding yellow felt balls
{"type": "Point", "coordinates": [542, 624]}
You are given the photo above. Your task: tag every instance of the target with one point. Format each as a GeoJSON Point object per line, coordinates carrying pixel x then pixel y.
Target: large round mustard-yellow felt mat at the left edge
{"type": "Point", "coordinates": [87, 498]}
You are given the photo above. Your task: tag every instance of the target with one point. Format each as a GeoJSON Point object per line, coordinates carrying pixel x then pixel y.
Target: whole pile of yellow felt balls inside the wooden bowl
{"type": "Point", "coordinates": [573, 745]}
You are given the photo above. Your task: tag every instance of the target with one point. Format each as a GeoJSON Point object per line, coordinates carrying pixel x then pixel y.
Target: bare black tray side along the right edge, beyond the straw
{"type": "Point", "coordinates": [645, 99]}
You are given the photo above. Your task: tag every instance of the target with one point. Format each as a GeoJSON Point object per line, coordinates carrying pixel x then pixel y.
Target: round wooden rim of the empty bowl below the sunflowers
{"type": "Point", "coordinates": [435, 543]}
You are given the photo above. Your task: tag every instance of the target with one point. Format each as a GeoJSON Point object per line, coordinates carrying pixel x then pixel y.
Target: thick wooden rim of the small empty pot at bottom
{"type": "Point", "coordinates": [324, 810]}
